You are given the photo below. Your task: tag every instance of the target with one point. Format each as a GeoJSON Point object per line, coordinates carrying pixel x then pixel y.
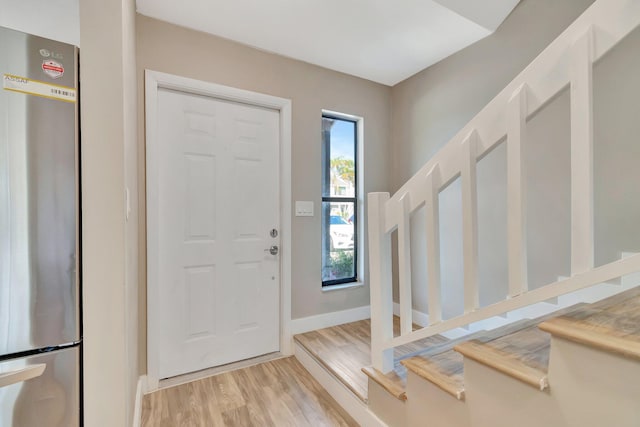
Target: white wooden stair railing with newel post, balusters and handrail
{"type": "Point", "coordinates": [568, 61]}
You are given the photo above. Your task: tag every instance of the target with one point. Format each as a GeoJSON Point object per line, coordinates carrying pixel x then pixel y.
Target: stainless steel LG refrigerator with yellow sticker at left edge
{"type": "Point", "coordinates": [40, 329]}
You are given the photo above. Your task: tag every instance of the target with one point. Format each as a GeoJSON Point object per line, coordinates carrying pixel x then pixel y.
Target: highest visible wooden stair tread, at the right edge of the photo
{"type": "Point", "coordinates": [611, 325]}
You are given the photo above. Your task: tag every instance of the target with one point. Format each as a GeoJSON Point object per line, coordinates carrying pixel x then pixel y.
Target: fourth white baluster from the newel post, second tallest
{"type": "Point", "coordinates": [516, 192]}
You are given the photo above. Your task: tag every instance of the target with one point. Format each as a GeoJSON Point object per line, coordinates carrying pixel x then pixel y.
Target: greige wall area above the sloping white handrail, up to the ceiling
{"type": "Point", "coordinates": [433, 105]}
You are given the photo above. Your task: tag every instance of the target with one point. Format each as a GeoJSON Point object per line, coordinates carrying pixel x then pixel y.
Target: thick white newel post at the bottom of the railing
{"type": "Point", "coordinates": [380, 283]}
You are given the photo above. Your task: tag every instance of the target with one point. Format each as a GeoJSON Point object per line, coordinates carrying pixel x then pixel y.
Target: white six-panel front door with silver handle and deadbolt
{"type": "Point", "coordinates": [218, 202]}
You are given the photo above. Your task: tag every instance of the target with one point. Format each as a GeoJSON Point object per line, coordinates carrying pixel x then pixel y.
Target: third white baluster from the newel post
{"type": "Point", "coordinates": [470, 221]}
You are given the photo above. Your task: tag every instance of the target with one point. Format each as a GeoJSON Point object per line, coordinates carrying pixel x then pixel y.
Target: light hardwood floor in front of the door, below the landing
{"type": "Point", "coordinates": [275, 393]}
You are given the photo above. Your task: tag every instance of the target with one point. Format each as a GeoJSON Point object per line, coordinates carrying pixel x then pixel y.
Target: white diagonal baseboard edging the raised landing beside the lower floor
{"type": "Point", "coordinates": [342, 395]}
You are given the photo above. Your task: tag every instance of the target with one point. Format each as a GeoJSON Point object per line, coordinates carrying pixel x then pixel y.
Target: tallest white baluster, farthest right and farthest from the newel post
{"type": "Point", "coordinates": [581, 73]}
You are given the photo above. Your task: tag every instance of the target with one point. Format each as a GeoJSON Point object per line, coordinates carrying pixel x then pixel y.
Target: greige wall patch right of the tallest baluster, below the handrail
{"type": "Point", "coordinates": [616, 95]}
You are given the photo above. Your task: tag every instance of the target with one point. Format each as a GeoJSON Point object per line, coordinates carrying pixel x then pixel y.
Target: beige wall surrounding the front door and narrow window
{"type": "Point", "coordinates": [176, 50]}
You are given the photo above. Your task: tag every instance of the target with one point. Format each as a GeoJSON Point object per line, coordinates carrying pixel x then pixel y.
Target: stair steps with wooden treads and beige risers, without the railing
{"type": "Point", "coordinates": [577, 367]}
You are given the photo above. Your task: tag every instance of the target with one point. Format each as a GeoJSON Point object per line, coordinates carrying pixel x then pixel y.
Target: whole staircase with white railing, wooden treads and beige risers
{"type": "Point", "coordinates": [575, 366]}
